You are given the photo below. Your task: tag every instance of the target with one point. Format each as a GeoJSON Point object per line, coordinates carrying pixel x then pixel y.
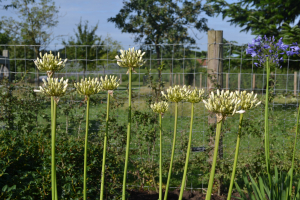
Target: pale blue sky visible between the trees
{"type": "Point", "coordinates": [71, 11]}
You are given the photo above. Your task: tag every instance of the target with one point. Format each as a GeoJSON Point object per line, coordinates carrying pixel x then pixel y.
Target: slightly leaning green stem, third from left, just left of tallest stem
{"type": "Point", "coordinates": [104, 149]}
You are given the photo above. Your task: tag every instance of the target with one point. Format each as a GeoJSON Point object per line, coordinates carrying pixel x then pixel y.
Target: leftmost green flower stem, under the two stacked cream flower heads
{"type": "Point", "coordinates": [53, 164]}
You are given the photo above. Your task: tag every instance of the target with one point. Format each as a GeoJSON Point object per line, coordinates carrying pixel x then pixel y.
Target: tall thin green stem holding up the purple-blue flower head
{"type": "Point", "coordinates": [267, 143]}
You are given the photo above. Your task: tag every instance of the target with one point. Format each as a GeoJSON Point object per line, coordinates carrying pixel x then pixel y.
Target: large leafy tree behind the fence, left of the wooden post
{"type": "Point", "coordinates": [161, 21]}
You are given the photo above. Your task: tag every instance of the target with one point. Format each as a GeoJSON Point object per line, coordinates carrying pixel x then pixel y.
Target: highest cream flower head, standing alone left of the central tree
{"type": "Point", "coordinates": [130, 58]}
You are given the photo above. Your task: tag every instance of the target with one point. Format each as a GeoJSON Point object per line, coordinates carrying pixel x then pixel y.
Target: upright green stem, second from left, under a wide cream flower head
{"type": "Point", "coordinates": [85, 147]}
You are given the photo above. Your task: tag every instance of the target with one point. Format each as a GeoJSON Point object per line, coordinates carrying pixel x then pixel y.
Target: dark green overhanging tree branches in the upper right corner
{"type": "Point", "coordinates": [260, 17]}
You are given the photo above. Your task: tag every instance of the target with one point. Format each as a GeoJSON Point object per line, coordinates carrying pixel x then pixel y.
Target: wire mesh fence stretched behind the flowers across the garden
{"type": "Point", "coordinates": [183, 64]}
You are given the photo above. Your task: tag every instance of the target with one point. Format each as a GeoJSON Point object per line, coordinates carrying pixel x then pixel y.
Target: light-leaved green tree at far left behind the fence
{"type": "Point", "coordinates": [33, 25]}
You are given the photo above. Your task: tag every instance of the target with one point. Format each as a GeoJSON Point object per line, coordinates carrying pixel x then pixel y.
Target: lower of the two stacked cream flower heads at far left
{"type": "Point", "coordinates": [53, 87]}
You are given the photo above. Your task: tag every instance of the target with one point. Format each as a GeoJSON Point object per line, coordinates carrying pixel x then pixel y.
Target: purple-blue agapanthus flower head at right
{"type": "Point", "coordinates": [265, 47]}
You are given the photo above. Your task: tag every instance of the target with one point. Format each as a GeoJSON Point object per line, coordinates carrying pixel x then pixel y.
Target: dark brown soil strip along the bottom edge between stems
{"type": "Point", "coordinates": [173, 195]}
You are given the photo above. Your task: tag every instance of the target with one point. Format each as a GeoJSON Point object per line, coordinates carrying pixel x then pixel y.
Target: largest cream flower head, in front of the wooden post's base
{"type": "Point", "coordinates": [223, 104]}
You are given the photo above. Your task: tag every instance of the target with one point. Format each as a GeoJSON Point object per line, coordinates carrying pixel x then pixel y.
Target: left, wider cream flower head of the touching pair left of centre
{"type": "Point", "coordinates": [88, 87]}
